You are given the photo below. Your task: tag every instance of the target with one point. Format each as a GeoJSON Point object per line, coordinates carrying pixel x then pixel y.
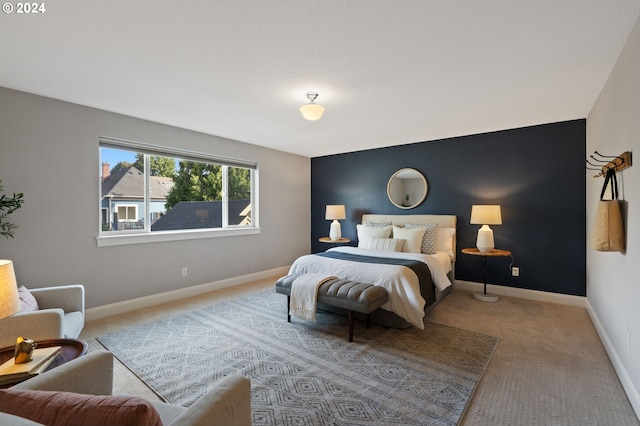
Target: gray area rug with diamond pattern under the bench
{"type": "Point", "coordinates": [305, 373]}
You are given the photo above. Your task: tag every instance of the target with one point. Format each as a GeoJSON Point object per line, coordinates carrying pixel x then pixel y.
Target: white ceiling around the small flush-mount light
{"type": "Point", "coordinates": [388, 72]}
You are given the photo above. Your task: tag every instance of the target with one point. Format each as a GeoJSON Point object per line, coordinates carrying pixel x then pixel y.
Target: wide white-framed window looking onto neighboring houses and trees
{"type": "Point", "coordinates": [147, 189]}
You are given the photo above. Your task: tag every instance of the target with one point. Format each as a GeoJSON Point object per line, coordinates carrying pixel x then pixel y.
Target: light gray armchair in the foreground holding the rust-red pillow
{"type": "Point", "coordinates": [227, 403]}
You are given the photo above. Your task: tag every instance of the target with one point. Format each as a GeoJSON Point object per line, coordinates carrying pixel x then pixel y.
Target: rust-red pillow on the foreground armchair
{"type": "Point", "coordinates": [71, 409]}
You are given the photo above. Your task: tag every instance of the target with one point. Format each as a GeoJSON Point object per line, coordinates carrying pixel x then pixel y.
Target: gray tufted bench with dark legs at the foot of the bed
{"type": "Point", "coordinates": [340, 293]}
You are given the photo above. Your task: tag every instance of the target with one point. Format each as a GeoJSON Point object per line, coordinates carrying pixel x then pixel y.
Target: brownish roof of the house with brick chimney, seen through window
{"type": "Point", "coordinates": [129, 182]}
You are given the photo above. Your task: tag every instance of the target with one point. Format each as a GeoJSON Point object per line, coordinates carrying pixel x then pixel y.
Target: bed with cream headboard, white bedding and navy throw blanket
{"type": "Point", "coordinates": [412, 256]}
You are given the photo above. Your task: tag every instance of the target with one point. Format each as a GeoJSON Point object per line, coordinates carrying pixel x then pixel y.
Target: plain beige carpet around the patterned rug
{"type": "Point", "coordinates": [549, 368]}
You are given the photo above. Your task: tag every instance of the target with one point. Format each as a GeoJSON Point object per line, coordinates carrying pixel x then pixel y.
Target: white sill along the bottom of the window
{"type": "Point", "coordinates": [157, 237]}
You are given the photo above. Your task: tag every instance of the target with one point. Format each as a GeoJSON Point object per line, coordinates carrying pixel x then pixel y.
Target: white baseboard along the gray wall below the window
{"type": "Point", "coordinates": [169, 296]}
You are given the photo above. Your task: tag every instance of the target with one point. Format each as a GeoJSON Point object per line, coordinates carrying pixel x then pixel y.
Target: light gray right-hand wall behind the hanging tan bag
{"type": "Point", "coordinates": [613, 288]}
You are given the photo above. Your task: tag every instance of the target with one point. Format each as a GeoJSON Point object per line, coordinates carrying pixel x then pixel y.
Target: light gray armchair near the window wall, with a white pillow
{"type": "Point", "coordinates": [61, 314]}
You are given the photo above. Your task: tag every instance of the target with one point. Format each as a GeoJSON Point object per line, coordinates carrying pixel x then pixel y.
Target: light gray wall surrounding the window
{"type": "Point", "coordinates": [49, 151]}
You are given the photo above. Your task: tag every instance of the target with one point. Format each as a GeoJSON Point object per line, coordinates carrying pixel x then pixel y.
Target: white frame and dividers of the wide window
{"type": "Point", "coordinates": [114, 238]}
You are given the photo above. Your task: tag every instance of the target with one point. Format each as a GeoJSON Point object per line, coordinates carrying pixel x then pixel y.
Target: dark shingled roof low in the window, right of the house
{"type": "Point", "coordinates": [201, 214]}
